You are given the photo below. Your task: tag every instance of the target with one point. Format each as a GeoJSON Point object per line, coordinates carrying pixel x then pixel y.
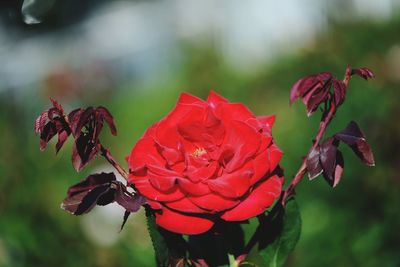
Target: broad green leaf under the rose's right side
{"type": "Point", "coordinates": [277, 235]}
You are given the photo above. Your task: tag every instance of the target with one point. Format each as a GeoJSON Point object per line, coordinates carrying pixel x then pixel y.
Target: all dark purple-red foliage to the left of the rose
{"type": "Point", "coordinates": [85, 126]}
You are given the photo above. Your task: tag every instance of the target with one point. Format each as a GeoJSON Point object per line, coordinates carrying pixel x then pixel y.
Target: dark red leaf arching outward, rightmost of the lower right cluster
{"type": "Point", "coordinates": [355, 138]}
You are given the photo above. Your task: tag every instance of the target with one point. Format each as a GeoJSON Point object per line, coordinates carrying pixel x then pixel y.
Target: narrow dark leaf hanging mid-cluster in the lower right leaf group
{"type": "Point", "coordinates": [328, 153]}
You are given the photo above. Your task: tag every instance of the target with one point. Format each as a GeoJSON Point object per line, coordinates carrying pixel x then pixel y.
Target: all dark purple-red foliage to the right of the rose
{"type": "Point", "coordinates": [325, 158]}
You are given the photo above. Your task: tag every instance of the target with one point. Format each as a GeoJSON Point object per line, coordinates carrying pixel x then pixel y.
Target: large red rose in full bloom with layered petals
{"type": "Point", "coordinates": [204, 161]}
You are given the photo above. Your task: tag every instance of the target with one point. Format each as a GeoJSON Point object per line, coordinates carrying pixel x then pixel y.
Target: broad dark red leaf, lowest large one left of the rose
{"type": "Point", "coordinates": [82, 197]}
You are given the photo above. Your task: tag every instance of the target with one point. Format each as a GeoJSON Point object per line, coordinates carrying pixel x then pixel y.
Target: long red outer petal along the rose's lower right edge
{"type": "Point", "coordinates": [257, 202]}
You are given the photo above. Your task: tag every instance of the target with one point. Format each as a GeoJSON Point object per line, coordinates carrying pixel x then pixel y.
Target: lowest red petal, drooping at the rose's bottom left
{"type": "Point", "coordinates": [182, 224]}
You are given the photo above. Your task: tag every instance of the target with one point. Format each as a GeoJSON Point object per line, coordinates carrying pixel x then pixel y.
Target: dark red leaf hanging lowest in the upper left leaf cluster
{"type": "Point", "coordinates": [83, 151]}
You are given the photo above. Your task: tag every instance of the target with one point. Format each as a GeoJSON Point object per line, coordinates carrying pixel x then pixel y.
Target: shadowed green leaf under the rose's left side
{"type": "Point", "coordinates": [169, 248]}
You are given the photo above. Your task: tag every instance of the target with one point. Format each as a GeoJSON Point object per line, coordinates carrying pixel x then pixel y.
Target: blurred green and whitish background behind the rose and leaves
{"type": "Point", "coordinates": [136, 57]}
